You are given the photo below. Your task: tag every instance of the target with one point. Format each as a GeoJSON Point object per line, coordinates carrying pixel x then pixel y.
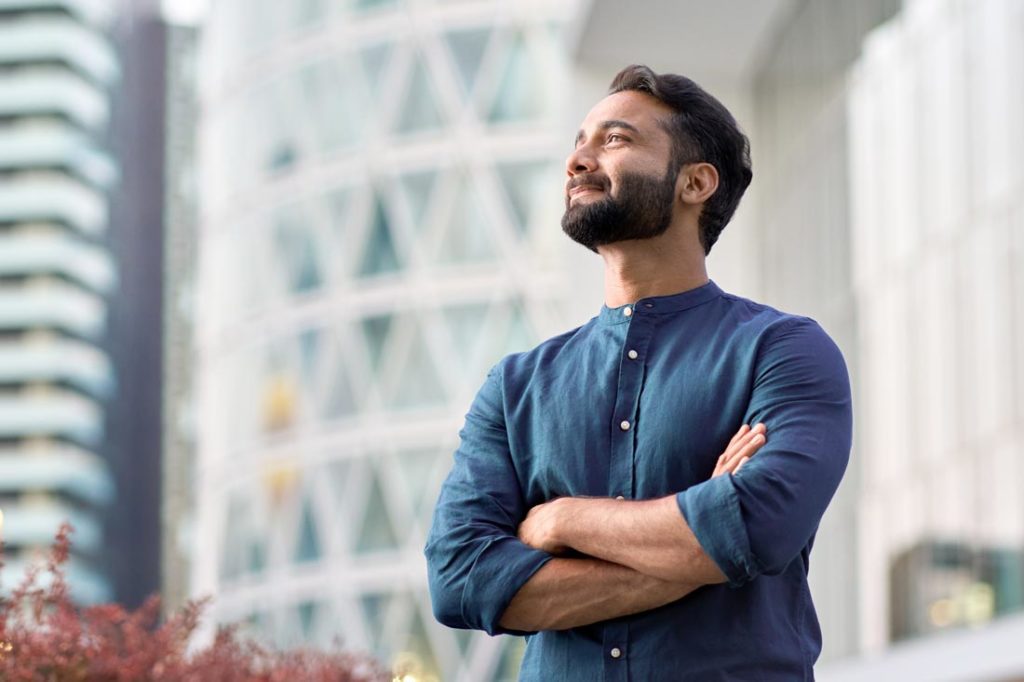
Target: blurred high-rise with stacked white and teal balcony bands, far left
{"type": "Point", "coordinates": [58, 68]}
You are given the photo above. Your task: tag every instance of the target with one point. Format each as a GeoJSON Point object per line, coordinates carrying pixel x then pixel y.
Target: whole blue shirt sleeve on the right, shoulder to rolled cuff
{"type": "Point", "coordinates": [759, 521]}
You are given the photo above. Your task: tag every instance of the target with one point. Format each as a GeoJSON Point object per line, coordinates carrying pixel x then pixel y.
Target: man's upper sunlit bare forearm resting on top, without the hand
{"type": "Point", "coordinates": [651, 537]}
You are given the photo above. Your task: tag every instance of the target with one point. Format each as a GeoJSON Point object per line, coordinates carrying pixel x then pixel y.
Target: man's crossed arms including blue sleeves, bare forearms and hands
{"type": "Point", "coordinates": [497, 566]}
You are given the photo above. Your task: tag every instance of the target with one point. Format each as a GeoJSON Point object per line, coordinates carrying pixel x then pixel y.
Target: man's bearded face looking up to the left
{"type": "Point", "coordinates": [621, 177]}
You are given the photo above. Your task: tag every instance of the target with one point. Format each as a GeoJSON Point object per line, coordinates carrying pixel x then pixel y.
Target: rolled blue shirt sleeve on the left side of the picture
{"type": "Point", "coordinates": [476, 561]}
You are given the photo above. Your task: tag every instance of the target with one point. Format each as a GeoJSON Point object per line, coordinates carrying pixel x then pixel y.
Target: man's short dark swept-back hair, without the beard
{"type": "Point", "coordinates": [702, 130]}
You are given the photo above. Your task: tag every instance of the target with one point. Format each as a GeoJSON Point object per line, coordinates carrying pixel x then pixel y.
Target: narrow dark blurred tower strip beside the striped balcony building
{"type": "Point", "coordinates": [135, 336]}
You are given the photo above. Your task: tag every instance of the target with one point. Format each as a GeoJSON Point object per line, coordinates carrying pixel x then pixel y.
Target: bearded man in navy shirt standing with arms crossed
{"type": "Point", "coordinates": [606, 500]}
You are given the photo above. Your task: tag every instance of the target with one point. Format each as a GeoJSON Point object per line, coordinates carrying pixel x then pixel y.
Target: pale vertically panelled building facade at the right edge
{"type": "Point", "coordinates": [938, 226]}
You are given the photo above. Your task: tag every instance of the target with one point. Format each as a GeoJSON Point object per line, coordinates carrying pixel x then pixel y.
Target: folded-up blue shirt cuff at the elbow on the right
{"type": "Point", "coordinates": [712, 511]}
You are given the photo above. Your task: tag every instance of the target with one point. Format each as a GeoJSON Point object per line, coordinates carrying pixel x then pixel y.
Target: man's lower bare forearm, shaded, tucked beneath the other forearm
{"type": "Point", "coordinates": [570, 593]}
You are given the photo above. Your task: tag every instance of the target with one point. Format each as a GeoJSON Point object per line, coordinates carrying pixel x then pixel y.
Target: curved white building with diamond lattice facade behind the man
{"type": "Point", "coordinates": [379, 181]}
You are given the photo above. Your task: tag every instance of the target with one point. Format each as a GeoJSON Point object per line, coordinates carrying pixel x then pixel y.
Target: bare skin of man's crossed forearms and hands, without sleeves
{"type": "Point", "coordinates": [641, 556]}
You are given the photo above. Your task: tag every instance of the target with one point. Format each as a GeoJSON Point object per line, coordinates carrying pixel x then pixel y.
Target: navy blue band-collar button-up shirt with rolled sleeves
{"type": "Point", "coordinates": [686, 371]}
